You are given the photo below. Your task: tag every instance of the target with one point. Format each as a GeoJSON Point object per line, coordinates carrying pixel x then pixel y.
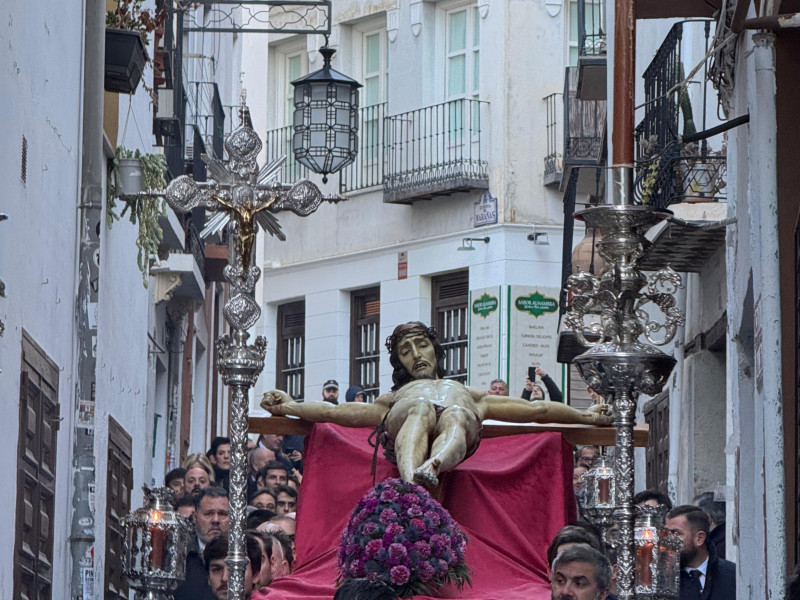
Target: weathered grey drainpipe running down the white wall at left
{"type": "Point", "coordinates": [93, 171]}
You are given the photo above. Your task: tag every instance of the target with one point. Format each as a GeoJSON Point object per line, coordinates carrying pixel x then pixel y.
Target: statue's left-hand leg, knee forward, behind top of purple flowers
{"type": "Point", "coordinates": [416, 422]}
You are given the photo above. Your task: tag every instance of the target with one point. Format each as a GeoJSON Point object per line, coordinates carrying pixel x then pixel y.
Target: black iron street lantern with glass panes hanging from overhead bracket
{"type": "Point", "coordinates": [325, 118]}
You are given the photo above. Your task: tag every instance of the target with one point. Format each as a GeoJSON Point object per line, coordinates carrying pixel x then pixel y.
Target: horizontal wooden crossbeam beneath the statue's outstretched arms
{"type": "Point", "coordinates": [574, 434]}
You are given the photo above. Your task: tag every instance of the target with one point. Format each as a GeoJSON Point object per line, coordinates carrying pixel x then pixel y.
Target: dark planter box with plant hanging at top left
{"type": "Point", "coordinates": [127, 27]}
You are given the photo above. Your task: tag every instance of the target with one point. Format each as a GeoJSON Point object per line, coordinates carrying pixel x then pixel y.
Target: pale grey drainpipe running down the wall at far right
{"type": "Point", "coordinates": [763, 205]}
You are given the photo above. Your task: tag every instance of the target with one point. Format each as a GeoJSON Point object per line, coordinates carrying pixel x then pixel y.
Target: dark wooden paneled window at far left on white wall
{"type": "Point", "coordinates": [36, 473]}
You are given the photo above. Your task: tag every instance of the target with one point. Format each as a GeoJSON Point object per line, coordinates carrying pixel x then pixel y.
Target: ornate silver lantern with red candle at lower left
{"type": "Point", "coordinates": [156, 543]}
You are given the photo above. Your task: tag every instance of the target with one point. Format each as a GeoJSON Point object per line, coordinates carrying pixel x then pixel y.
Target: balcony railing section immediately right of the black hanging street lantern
{"type": "Point", "coordinates": [367, 169]}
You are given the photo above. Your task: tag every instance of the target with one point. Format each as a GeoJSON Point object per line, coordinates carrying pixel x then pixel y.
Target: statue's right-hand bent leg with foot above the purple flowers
{"type": "Point", "coordinates": [455, 431]}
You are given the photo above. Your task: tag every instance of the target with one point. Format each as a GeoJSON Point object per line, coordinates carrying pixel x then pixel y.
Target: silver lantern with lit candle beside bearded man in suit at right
{"type": "Point", "coordinates": [657, 571]}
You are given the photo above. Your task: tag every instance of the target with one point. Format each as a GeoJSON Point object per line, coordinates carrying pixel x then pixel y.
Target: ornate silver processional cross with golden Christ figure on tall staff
{"type": "Point", "coordinates": [242, 198]}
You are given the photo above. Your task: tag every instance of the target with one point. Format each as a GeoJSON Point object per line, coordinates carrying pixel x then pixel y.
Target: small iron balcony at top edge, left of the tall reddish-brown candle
{"type": "Point", "coordinates": [592, 63]}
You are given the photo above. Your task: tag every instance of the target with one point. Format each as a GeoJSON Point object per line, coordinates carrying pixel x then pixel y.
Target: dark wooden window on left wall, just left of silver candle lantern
{"type": "Point", "coordinates": [118, 504]}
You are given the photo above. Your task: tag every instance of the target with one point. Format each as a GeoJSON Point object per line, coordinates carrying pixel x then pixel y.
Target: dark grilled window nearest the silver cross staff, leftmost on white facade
{"type": "Point", "coordinates": [291, 349]}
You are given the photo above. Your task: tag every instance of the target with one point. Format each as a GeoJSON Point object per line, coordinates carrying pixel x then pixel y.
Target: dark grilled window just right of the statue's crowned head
{"type": "Point", "coordinates": [449, 318]}
